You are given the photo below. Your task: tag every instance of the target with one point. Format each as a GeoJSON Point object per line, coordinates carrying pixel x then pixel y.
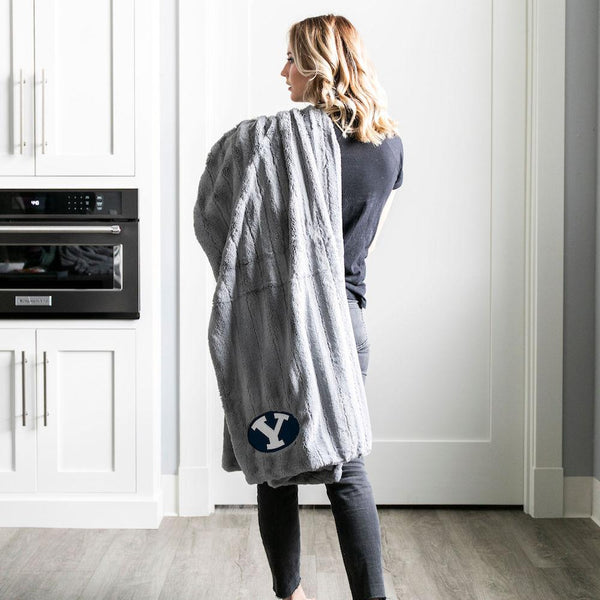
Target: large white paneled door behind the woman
{"type": "Point", "coordinates": [445, 286]}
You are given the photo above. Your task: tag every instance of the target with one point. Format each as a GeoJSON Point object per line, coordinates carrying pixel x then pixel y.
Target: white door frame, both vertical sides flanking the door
{"type": "Point", "coordinates": [198, 33]}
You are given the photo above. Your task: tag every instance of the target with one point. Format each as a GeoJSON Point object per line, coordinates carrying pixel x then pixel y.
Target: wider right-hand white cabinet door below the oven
{"type": "Point", "coordinates": [86, 410]}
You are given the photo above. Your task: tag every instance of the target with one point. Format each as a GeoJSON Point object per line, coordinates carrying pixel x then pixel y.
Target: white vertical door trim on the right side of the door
{"type": "Point", "coordinates": [543, 468]}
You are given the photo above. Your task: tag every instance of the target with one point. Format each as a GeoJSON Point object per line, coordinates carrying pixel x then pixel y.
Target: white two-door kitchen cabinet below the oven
{"type": "Point", "coordinates": [79, 397]}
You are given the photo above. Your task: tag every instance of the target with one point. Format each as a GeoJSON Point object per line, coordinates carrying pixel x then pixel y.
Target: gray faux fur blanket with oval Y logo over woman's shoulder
{"type": "Point", "coordinates": [268, 216]}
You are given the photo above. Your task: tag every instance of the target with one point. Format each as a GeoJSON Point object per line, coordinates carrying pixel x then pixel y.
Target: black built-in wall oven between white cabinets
{"type": "Point", "coordinates": [69, 254]}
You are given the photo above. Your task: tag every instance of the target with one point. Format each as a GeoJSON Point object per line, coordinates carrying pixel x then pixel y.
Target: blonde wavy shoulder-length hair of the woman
{"type": "Point", "coordinates": [343, 81]}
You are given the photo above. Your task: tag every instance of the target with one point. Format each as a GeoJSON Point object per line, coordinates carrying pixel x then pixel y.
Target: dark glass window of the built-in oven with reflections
{"type": "Point", "coordinates": [70, 266]}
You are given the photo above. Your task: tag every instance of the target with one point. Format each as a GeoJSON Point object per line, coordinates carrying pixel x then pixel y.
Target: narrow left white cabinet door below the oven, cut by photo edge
{"type": "Point", "coordinates": [17, 391]}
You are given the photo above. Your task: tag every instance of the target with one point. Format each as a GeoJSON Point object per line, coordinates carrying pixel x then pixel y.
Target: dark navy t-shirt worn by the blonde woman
{"type": "Point", "coordinates": [369, 173]}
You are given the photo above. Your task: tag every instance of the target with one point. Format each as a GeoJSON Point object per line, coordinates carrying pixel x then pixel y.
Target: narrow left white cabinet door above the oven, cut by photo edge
{"type": "Point", "coordinates": [16, 91]}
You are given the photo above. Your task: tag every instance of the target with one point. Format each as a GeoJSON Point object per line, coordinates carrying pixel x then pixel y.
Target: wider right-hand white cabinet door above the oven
{"type": "Point", "coordinates": [84, 87]}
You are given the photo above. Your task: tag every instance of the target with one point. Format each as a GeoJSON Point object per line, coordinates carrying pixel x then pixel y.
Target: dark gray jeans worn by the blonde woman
{"type": "Point", "coordinates": [353, 507]}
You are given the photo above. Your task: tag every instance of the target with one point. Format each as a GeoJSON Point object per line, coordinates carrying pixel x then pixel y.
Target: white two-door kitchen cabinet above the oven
{"type": "Point", "coordinates": [67, 103]}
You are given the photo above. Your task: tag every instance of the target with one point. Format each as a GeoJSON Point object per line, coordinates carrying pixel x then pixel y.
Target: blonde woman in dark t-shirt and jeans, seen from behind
{"type": "Point", "coordinates": [327, 66]}
